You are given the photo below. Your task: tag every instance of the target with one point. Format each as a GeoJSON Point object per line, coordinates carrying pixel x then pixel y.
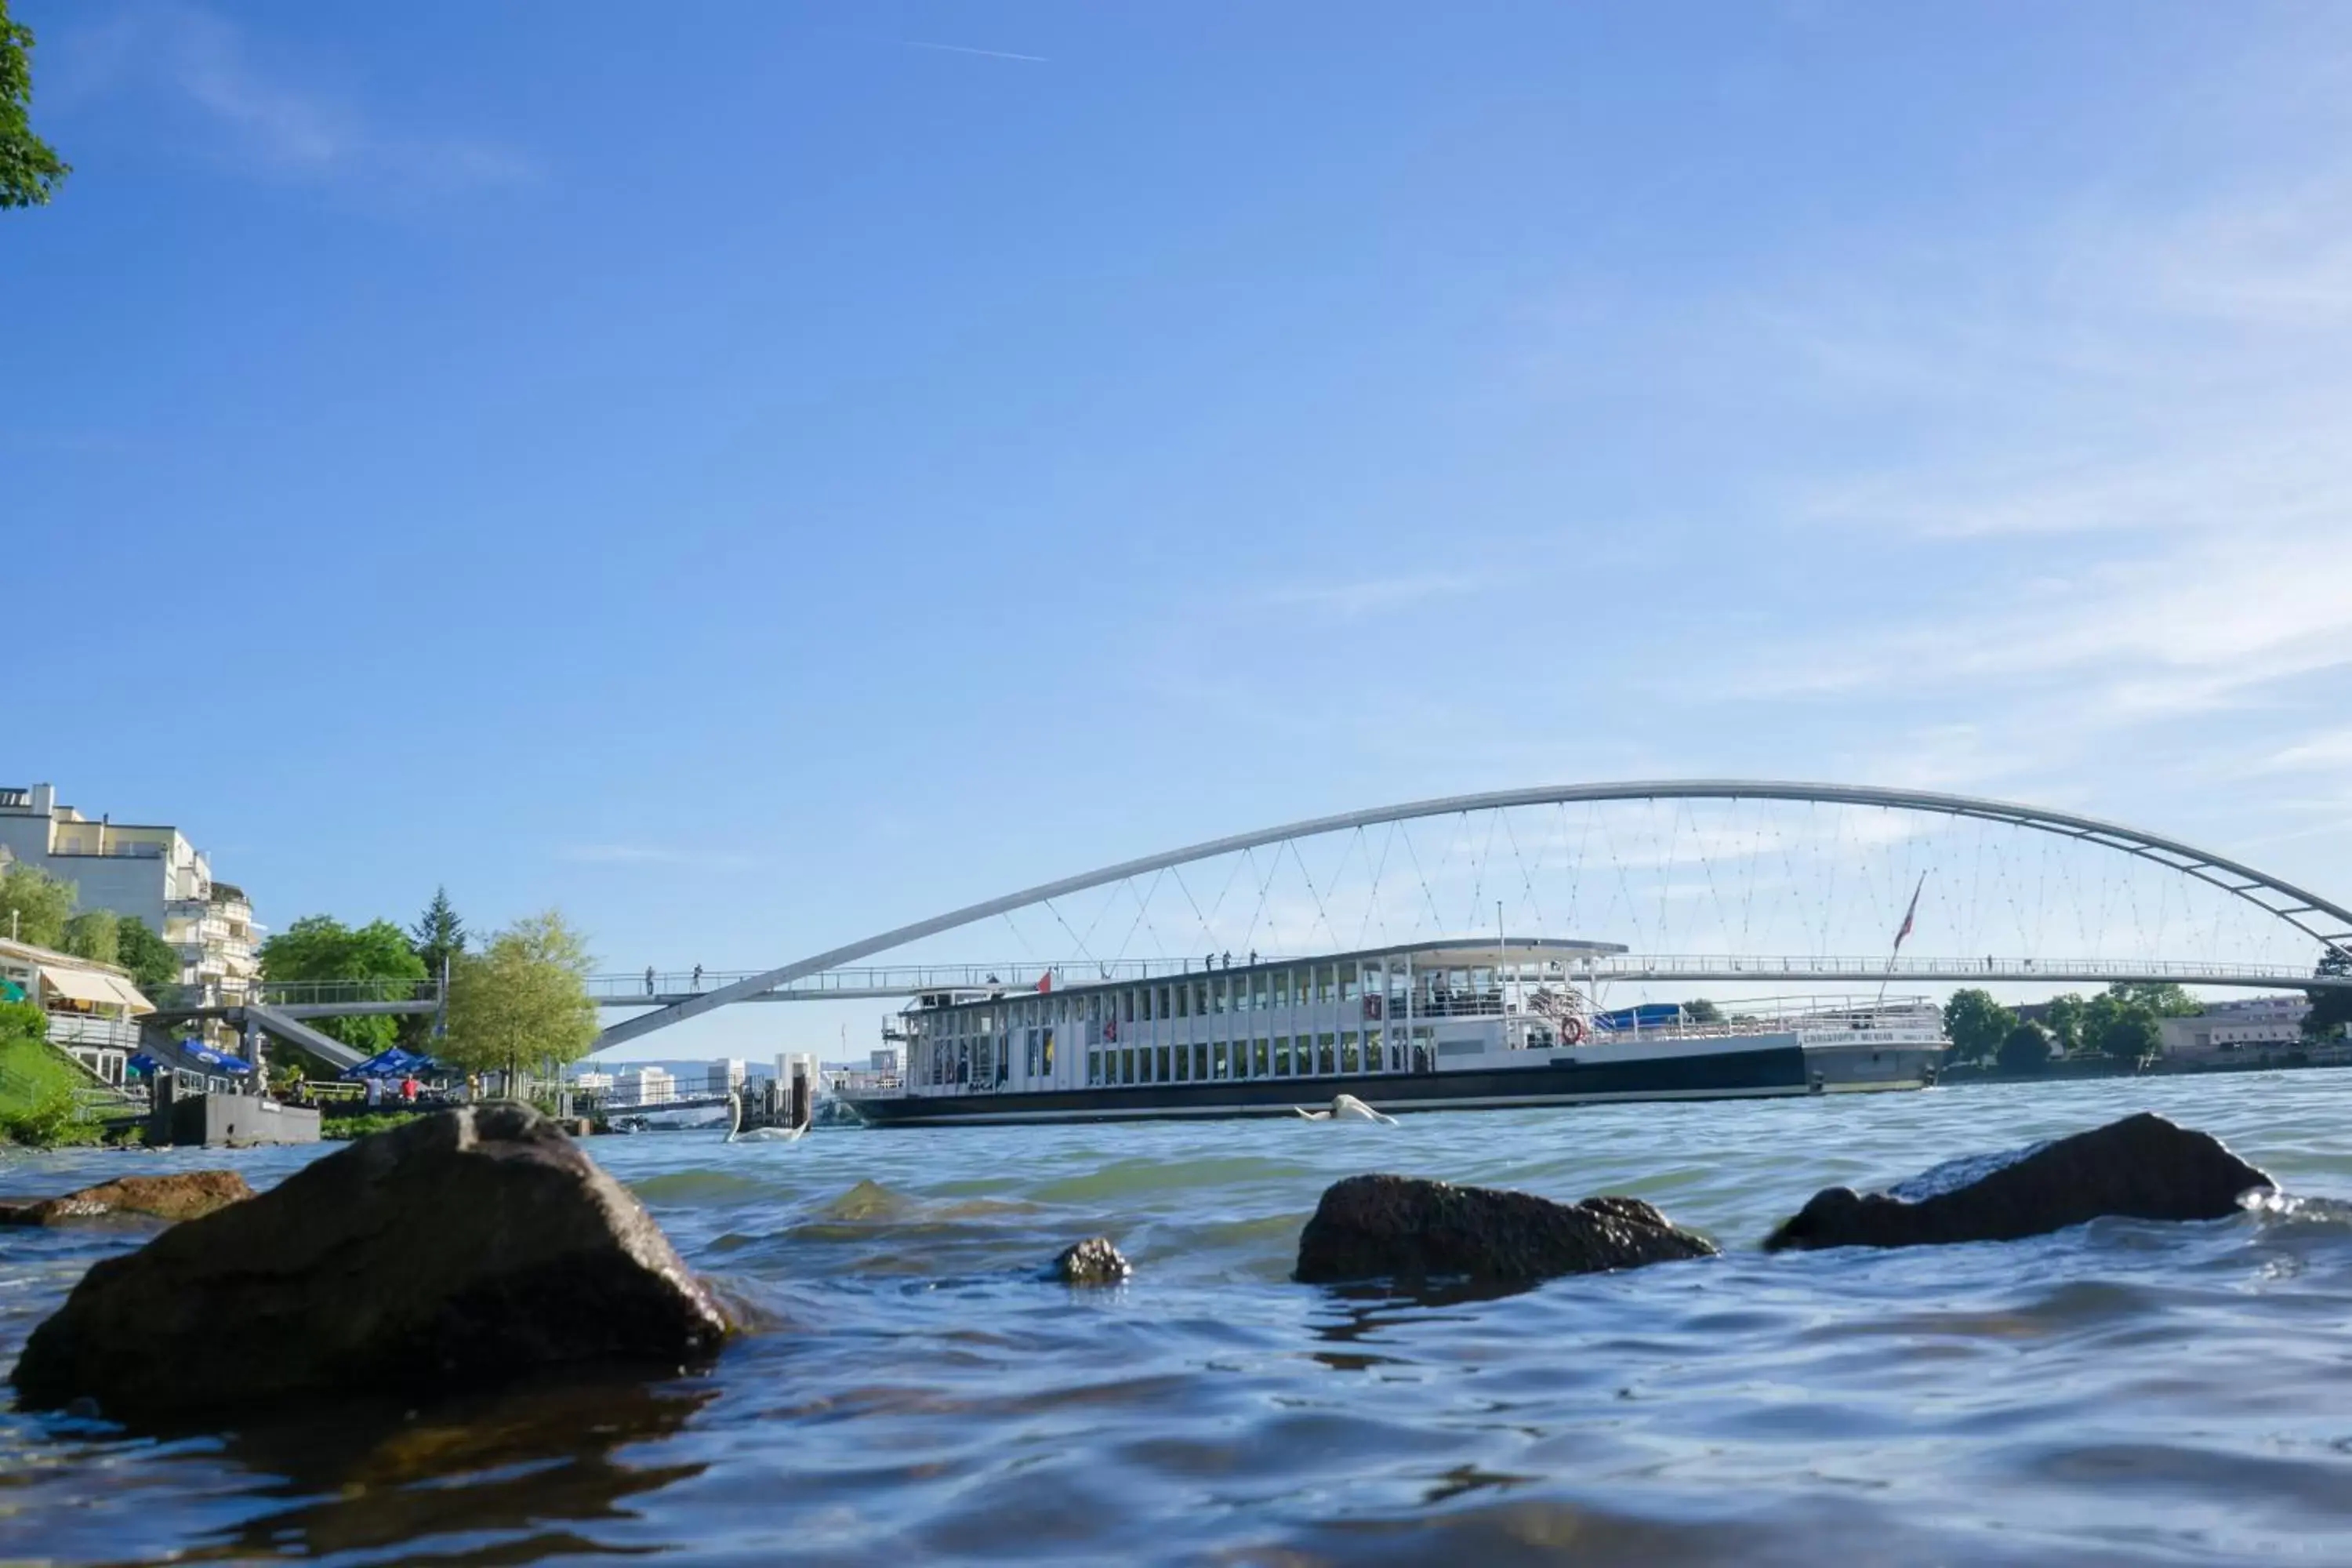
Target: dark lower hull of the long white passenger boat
{"type": "Point", "coordinates": [1779, 1068]}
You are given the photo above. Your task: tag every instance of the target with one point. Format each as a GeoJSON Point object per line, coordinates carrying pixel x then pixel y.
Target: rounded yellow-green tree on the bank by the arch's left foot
{"type": "Point", "coordinates": [521, 1000]}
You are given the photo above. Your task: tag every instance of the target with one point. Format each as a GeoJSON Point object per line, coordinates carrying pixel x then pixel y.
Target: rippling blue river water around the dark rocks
{"type": "Point", "coordinates": [2123, 1393]}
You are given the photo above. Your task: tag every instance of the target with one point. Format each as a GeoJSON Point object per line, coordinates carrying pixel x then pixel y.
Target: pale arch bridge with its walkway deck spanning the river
{"type": "Point", "coordinates": [836, 972]}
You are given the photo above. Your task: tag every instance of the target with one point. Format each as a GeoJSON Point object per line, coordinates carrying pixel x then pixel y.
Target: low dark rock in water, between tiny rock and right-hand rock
{"type": "Point", "coordinates": [1417, 1231]}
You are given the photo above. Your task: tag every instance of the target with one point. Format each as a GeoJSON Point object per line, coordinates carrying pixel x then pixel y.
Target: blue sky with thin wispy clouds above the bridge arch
{"type": "Point", "coordinates": [756, 474]}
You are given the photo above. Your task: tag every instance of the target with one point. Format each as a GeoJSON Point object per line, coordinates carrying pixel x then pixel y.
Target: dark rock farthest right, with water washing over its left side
{"type": "Point", "coordinates": [2141, 1167]}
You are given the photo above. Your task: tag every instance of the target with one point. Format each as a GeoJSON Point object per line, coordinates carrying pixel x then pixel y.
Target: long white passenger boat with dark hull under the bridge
{"type": "Point", "coordinates": [1436, 1026]}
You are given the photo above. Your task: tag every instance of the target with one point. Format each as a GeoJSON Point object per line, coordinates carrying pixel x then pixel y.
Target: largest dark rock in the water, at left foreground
{"type": "Point", "coordinates": [455, 1249]}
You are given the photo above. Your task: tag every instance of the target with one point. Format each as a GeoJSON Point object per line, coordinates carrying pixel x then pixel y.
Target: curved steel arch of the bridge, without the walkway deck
{"type": "Point", "coordinates": [2318, 918]}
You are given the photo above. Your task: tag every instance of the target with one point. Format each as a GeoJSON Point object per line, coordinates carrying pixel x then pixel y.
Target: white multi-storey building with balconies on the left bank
{"type": "Point", "coordinates": [147, 871]}
